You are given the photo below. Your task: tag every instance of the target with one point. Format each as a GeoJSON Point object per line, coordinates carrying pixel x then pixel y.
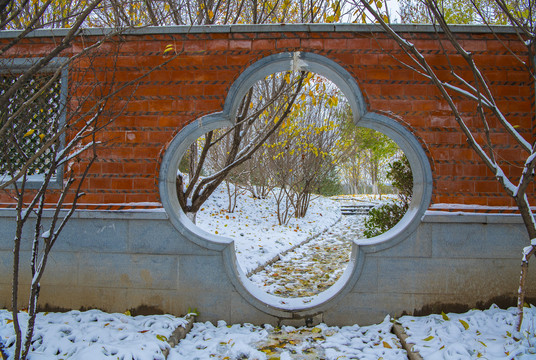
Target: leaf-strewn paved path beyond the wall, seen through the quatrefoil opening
{"type": "Point", "coordinates": [315, 266]}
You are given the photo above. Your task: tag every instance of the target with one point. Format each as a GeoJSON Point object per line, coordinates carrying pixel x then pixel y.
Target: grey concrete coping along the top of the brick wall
{"type": "Point", "coordinates": [262, 28]}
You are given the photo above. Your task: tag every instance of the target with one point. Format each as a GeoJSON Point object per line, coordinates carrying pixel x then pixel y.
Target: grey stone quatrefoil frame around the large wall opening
{"type": "Point", "coordinates": [271, 304]}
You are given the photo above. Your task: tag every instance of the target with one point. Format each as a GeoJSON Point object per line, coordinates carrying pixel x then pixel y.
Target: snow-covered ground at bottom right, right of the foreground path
{"type": "Point", "coordinates": [475, 334]}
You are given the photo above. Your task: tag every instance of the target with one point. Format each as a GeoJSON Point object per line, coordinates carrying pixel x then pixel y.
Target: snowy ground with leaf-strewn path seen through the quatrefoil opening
{"type": "Point", "coordinates": [307, 270]}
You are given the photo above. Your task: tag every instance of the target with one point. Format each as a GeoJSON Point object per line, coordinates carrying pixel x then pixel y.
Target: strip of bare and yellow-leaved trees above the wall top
{"type": "Point", "coordinates": [31, 15]}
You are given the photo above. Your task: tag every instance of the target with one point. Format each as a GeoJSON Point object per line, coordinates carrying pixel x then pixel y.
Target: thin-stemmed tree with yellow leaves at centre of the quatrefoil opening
{"type": "Point", "coordinates": [308, 144]}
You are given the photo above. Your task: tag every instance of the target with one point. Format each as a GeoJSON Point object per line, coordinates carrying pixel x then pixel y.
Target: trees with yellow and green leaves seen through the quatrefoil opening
{"type": "Point", "coordinates": [294, 137]}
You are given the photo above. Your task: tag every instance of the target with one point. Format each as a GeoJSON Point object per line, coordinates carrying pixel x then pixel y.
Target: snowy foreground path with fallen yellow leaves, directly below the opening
{"type": "Point", "coordinates": [247, 341]}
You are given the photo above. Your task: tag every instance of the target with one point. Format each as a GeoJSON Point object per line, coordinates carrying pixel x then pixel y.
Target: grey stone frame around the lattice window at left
{"type": "Point", "coordinates": [17, 65]}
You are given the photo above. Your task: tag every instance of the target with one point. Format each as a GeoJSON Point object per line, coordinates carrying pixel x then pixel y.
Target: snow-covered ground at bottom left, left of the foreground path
{"type": "Point", "coordinates": [93, 335]}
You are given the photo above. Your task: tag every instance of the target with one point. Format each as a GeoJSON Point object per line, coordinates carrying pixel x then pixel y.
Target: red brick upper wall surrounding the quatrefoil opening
{"type": "Point", "coordinates": [196, 82]}
